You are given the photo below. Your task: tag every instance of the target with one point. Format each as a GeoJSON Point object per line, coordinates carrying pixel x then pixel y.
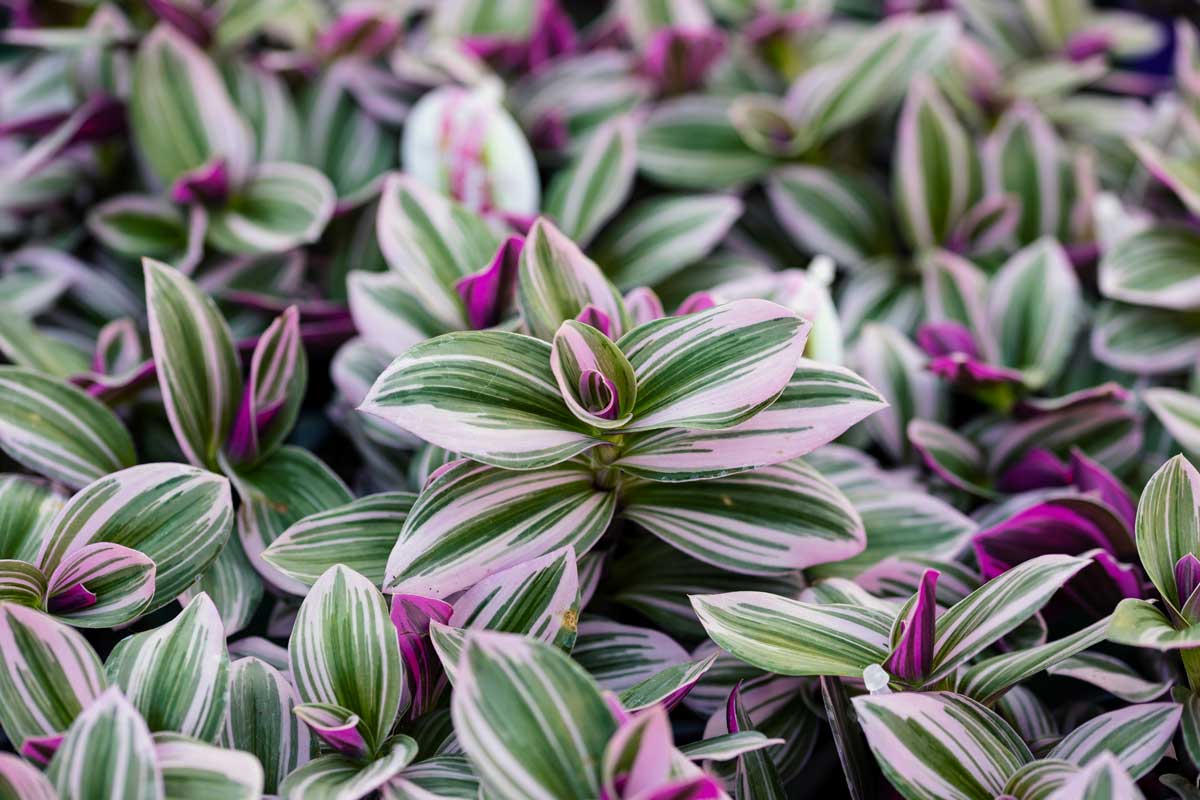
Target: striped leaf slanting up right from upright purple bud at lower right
{"type": "Point", "coordinates": [998, 609]}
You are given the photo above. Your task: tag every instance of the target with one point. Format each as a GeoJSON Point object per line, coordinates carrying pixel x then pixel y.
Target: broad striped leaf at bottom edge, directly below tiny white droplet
{"type": "Point", "coordinates": [940, 745]}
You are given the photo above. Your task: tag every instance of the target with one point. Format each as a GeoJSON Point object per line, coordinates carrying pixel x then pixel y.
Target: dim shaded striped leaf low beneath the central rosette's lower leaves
{"type": "Point", "coordinates": [622, 657]}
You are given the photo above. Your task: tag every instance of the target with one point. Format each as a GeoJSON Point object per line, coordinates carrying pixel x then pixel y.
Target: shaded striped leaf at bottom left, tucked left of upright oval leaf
{"type": "Point", "coordinates": [261, 721]}
